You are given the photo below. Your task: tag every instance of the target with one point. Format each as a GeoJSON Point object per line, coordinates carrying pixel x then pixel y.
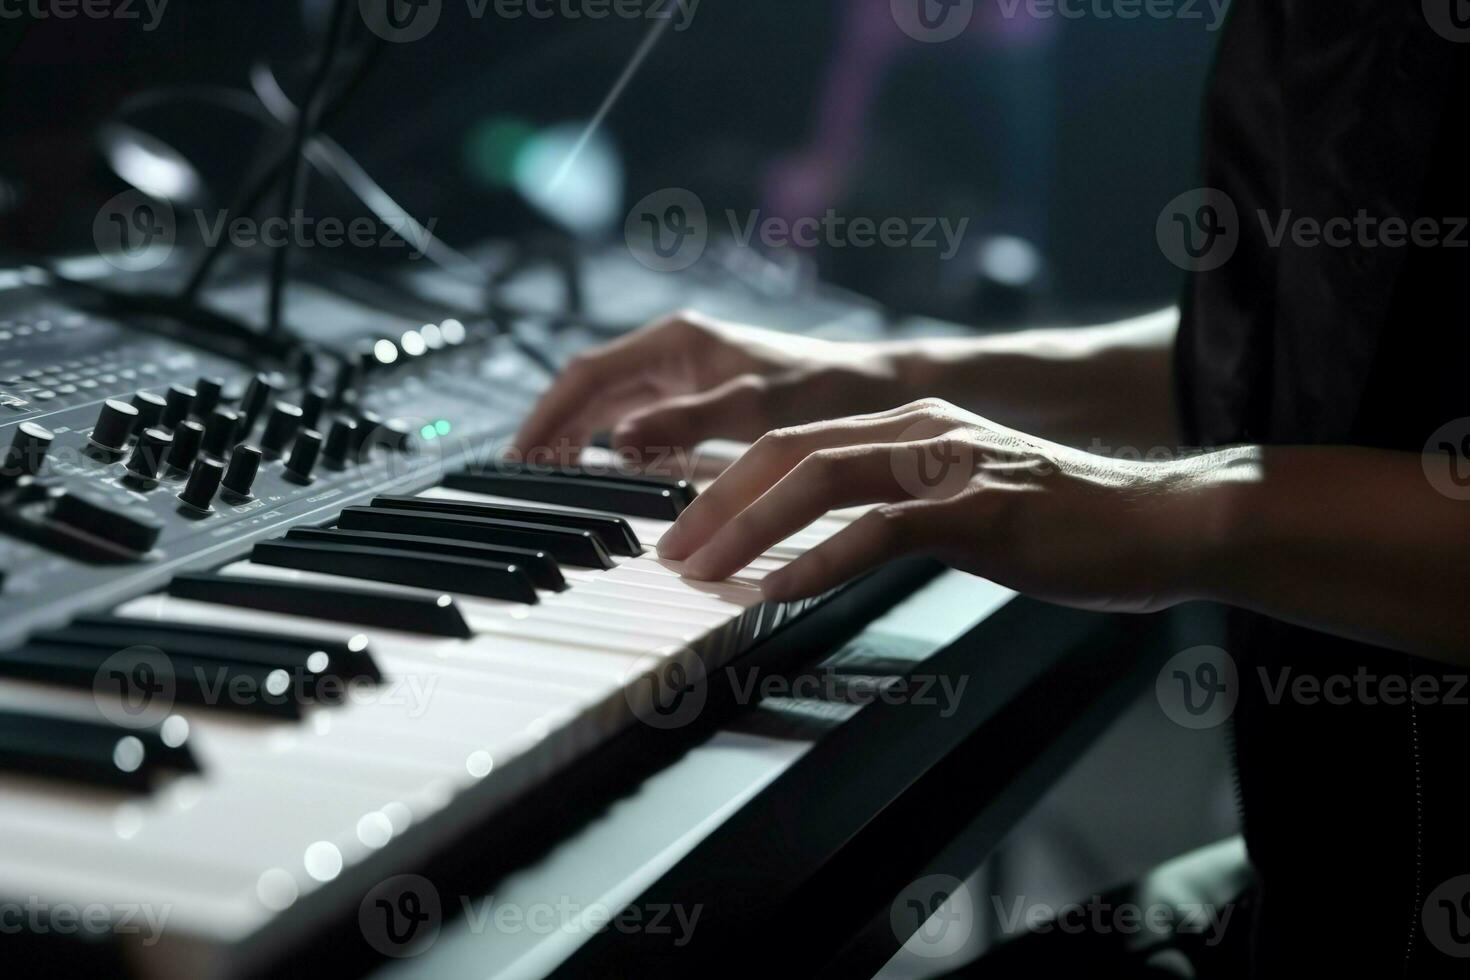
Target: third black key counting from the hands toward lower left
{"type": "Point", "coordinates": [567, 546]}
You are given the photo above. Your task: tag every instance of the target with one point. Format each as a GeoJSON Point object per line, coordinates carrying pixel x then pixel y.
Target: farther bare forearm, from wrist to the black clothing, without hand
{"type": "Point", "coordinates": [1100, 389]}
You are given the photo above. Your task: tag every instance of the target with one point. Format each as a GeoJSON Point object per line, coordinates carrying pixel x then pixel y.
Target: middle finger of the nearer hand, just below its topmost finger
{"type": "Point", "coordinates": [825, 481]}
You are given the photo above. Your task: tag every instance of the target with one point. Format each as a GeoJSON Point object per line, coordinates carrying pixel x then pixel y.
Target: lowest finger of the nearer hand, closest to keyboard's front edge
{"type": "Point", "coordinates": [875, 538]}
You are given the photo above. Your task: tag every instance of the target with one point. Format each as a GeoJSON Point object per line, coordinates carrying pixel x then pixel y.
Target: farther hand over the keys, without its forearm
{"type": "Point", "coordinates": [690, 378]}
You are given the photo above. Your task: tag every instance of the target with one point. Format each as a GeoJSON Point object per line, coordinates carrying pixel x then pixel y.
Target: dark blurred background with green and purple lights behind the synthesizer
{"type": "Point", "coordinates": [1059, 139]}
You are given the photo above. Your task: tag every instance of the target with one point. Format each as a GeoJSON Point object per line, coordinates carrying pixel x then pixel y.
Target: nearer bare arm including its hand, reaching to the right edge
{"type": "Point", "coordinates": [1347, 541]}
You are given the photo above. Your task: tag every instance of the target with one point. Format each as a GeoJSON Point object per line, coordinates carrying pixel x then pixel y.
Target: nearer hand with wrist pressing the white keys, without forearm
{"type": "Point", "coordinates": [1031, 515]}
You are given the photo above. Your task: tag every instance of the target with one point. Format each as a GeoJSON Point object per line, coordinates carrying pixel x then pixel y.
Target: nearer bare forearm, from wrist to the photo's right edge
{"type": "Point", "coordinates": [1355, 543]}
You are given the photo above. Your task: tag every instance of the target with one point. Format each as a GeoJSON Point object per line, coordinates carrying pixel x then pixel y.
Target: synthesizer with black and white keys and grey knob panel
{"type": "Point", "coordinates": [257, 635]}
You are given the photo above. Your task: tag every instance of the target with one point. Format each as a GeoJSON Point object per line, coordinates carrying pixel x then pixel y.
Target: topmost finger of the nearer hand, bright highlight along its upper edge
{"type": "Point", "coordinates": [767, 462]}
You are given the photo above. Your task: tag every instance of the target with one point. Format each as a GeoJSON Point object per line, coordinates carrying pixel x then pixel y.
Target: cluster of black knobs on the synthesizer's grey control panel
{"type": "Point", "coordinates": [170, 437]}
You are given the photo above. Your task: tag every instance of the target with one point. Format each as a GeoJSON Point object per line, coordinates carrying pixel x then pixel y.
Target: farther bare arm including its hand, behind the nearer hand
{"type": "Point", "coordinates": [690, 378]}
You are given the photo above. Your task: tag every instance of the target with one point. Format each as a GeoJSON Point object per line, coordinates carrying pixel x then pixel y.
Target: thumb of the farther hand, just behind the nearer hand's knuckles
{"type": "Point", "coordinates": [733, 411]}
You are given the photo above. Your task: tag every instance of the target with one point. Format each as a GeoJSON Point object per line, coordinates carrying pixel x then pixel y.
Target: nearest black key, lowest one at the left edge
{"type": "Point", "coordinates": [93, 753]}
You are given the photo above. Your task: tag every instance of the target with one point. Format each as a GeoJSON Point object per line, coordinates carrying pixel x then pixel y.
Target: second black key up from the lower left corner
{"type": "Point", "coordinates": [196, 681]}
